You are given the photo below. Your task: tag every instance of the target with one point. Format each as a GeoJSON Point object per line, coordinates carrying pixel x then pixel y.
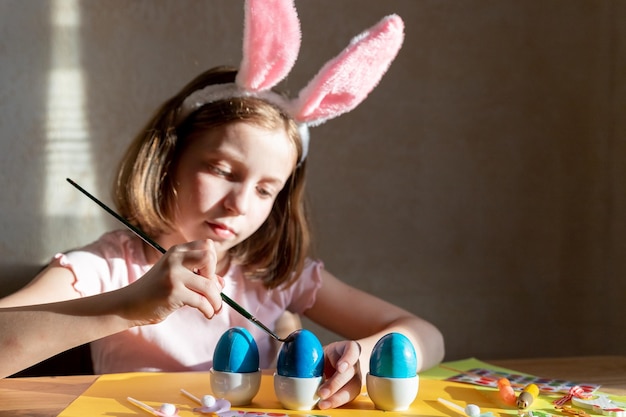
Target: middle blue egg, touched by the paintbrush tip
{"type": "Point", "coordinates": [301, 356]}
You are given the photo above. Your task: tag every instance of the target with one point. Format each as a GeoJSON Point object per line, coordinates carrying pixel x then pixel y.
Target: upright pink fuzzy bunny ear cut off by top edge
{"type": "Point", "coordinates": [271, 43]}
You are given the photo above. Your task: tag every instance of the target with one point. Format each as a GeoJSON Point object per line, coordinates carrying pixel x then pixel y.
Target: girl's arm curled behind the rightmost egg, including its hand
{"type": "Point", "coordinates": [364, 318]}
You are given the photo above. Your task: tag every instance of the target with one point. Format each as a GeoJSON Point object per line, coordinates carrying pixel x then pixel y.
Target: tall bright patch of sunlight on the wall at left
{"type": "Point", "coordinates": [68, 148]}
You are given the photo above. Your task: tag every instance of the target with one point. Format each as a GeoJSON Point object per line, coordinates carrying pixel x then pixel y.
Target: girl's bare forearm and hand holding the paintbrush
{"type": "Point", "coordinates": [30, 334]}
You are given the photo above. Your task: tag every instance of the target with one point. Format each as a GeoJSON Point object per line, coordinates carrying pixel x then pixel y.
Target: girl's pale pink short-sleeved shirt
{"type": "Point", "coordinates": [185, 341]}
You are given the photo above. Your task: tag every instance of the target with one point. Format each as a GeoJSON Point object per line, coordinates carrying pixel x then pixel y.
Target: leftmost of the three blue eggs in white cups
{"type": "Point", "coordinates": [236, 352]}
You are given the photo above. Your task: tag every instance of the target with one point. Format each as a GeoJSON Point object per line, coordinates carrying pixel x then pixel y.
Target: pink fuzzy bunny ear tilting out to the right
{"type": "Point", "coordinates": [346, 80]}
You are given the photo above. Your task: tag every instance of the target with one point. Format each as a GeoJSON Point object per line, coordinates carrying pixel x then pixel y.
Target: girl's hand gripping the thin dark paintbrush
{"type": "Point", "coordinates": [185, 275]}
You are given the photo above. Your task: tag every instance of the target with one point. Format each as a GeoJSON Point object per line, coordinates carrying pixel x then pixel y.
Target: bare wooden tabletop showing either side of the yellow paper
{"type": "Point", "coordinates": [48, 396]}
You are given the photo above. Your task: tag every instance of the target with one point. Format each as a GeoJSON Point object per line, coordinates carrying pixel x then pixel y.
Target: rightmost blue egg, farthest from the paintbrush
{"type": "Point", "coordinates": [393, 356]}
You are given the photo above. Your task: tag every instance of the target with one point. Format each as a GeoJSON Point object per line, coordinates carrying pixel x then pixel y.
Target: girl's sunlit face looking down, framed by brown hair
{"type": "Point", "coordinates": [227, 180]}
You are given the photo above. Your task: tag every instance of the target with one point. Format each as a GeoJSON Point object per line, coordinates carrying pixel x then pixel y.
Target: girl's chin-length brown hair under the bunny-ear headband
{"type": "Point", "coordinates": [145, 194]}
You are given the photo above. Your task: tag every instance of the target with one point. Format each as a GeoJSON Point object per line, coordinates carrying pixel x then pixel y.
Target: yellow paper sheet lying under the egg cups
{"type": "Point", "coordinates": [107, 396]}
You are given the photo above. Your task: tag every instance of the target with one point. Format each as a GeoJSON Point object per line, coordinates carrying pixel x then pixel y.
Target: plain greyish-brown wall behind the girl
{"type": "Point", "coordinates": [481, 185]}
